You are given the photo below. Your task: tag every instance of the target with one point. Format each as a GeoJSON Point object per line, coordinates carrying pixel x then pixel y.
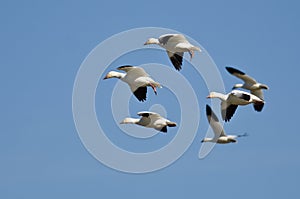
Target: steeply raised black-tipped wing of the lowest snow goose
{"type": "Point", "coordinates": [214, 122]}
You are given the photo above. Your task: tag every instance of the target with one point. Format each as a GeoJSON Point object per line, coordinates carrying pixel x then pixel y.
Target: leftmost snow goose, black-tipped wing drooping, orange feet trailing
{"type": "Point", "coordinates": [136, 78]}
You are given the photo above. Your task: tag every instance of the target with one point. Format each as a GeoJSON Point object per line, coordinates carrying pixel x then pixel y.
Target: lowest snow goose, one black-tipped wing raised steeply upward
{"type": "Point", "coordinates": [220, 135]}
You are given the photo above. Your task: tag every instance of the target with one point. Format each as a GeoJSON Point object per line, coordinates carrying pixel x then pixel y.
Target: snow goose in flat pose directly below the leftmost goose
{"type": "Point", "coordinates": [150, 120]}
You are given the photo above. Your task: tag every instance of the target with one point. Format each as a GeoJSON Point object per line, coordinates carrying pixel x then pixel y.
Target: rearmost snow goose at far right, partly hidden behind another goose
{"type": "Point", "coordinates": [249, 84]}
